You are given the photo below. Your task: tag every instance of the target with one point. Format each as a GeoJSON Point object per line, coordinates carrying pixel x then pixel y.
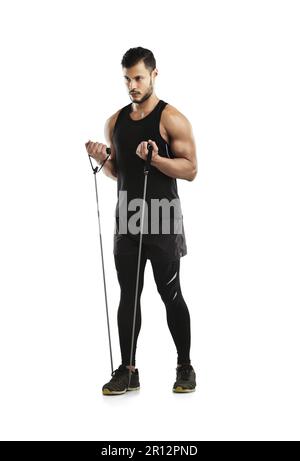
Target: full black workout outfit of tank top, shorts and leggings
{"type": "Point", "coordinates": [163, 250]}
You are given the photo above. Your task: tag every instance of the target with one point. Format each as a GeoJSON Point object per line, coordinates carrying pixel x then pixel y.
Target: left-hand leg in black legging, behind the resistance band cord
{"type": "Point", "coordinates": [126, 266]}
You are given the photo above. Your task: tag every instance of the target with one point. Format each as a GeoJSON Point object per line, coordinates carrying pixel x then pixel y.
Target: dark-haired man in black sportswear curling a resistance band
{"type": "Point", "coordinates": [148, 120]}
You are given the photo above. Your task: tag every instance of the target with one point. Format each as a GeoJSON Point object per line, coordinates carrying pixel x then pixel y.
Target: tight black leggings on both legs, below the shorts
{"type": "Point", "coordinates": [166, 275]}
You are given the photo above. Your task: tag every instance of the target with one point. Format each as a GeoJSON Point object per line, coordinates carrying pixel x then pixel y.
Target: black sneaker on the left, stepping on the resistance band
{"type": "Point", "coordinates": [119, 381]}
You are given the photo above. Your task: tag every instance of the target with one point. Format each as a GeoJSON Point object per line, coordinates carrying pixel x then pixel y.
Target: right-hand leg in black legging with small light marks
{"type": "Point", "coordinates": [166, 276]}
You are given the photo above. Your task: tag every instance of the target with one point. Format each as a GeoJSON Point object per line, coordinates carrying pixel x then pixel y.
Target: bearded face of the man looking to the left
{"type": "Point", "coordinates": [139, 82]}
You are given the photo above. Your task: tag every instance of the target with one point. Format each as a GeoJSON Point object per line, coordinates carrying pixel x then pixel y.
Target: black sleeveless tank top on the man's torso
{"type": "Point", "coordinates": [127, 135]}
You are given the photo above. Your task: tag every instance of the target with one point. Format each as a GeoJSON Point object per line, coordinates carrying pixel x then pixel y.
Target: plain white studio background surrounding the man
{"type": "Point", "coordinates": [232, 67]}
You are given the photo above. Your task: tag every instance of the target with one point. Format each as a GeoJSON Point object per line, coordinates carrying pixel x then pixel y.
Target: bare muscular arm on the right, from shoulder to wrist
{"type": "Point", "coordinates": [182, 143]}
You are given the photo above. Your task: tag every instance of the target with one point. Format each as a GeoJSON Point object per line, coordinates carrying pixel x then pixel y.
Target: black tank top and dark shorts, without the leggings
{"type": "Point", "coordinates": [127, 135]}
